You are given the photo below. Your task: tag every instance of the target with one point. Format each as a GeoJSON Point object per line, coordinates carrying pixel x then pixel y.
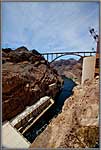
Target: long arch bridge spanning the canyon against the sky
{"type": "Point", "coordinates": [53, 56]}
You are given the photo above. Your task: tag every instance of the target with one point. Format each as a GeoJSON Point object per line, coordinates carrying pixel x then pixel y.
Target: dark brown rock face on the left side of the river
{"type": "Point", "coordinates": [26, 77]}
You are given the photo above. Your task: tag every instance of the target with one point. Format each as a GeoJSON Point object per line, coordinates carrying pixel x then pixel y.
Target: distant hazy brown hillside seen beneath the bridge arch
{"type": "Point", "coordinates": [70, 68]}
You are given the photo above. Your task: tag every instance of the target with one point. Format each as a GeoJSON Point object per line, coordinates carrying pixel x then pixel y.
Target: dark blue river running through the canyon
{"type": "Point", "coordinates": [39, 126]}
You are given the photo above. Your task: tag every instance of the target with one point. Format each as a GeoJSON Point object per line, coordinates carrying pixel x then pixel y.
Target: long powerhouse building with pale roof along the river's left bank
{"type": "Point", "coordinates": [30, 115]}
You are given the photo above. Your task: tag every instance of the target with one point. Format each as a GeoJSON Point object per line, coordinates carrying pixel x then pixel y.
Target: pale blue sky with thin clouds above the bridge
{"type": "Point", "coordinates": [49, 26]}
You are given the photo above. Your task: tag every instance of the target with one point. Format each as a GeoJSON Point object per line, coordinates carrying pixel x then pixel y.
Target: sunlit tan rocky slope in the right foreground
{"type": "Point", "coordinates": [77, 126]}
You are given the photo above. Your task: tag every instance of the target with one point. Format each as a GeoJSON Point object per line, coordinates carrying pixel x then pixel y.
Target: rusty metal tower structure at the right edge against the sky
{"type": "Point", "coordinates": [96, 38]}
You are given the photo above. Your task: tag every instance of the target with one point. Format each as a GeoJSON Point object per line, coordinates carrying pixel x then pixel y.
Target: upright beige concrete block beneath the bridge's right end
{"type": "Point", "coordinates": [88, 69]}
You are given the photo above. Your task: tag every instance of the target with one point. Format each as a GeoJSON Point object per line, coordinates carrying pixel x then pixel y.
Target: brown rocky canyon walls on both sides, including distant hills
{"type": "Point", "coordinates": [27, 76]}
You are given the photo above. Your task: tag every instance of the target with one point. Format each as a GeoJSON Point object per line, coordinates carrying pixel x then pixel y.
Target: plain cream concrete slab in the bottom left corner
{"type": "Point", "coordinates": [11, 138]}
